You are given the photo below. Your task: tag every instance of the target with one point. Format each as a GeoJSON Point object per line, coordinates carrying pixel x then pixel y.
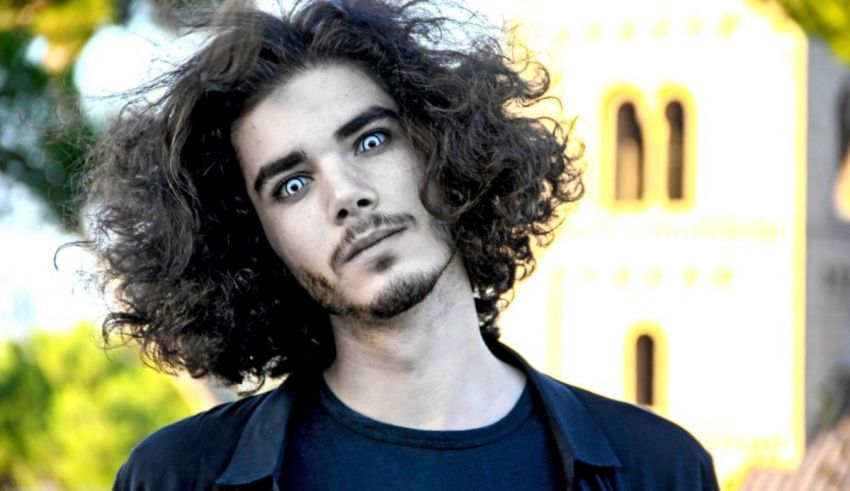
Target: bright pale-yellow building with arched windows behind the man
{"type": "Point", "coordinates": [706, 275]}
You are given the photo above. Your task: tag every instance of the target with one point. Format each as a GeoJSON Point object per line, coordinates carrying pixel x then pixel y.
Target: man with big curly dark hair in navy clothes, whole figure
{"type": "Point", "coordinates": [338, 196]}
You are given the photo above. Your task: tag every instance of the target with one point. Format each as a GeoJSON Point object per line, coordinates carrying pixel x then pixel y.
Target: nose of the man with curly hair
{"type": "Point", "coordinates": [350, 193]}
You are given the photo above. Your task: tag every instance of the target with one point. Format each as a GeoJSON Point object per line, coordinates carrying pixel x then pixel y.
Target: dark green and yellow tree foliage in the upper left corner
{"type": "Point", "coordinates": [43, 135]}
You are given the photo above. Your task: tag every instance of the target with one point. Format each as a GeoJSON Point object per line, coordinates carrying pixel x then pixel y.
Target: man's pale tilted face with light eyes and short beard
{"type": "Point", "coordinates": [334, 180]}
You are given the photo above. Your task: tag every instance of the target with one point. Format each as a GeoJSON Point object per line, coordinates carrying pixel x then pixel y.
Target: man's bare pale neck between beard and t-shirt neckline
{"type": "Point", "coordinates": [427, 368]}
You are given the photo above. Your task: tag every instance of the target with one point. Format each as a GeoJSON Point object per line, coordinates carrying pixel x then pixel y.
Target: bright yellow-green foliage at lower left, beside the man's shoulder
{"type": "Point", "coordinates": [69, 415]}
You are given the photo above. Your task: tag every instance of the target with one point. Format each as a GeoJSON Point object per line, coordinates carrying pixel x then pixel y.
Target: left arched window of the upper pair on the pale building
{"type": "Point", "coordinates": [629, 172]}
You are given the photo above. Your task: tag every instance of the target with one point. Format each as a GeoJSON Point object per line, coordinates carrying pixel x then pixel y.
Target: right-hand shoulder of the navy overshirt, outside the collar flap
{"type": "Point", "coordinates": [653, 450]}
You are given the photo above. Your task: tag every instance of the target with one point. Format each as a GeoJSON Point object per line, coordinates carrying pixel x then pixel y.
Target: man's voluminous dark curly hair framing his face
{"type": "Point", "coordinates": [197, 285]}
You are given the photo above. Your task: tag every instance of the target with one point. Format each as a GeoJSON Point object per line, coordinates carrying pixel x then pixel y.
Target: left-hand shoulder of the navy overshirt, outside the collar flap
{"type": "Point", "coordinates": [188, 454]}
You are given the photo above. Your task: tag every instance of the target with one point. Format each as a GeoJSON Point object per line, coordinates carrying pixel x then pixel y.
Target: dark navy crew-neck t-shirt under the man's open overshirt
{"type": "Point", "coordinates": [332, 447]}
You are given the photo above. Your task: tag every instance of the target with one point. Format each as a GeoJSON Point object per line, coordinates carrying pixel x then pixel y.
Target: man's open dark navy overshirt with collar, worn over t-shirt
{"type": "Point", "coordinates": [603, 444]}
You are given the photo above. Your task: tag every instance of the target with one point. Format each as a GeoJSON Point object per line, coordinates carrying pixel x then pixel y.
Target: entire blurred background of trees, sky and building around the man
{"type": "Point", "coordinates": [705, 276]}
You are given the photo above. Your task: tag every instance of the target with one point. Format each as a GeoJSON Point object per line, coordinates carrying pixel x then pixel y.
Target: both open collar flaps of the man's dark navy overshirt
{"type": "Point", "coordinates": [259, 453]}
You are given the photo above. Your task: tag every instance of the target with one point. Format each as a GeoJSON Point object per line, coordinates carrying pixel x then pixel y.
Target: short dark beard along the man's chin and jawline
{"type": "Point", "coordinates": [399, 295]}
